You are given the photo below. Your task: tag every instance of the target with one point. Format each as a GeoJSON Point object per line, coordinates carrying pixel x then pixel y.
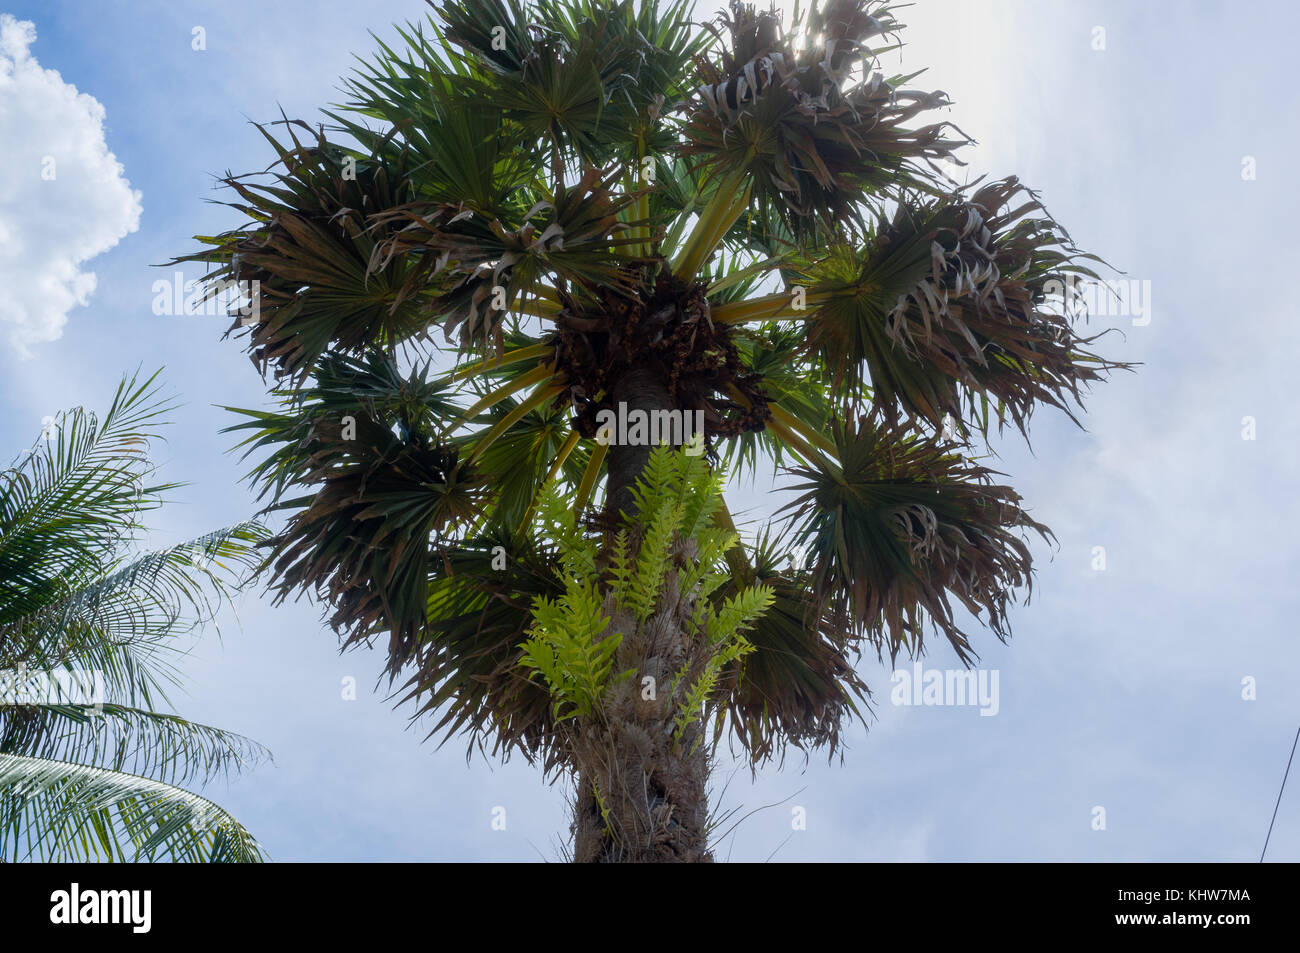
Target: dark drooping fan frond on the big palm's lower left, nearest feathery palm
{"type": "Point", "coordinates": [366, 447]}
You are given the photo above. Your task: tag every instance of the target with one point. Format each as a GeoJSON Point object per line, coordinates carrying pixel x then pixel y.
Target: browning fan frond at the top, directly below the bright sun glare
{"type": "Point", "coordinates": [816, 131]}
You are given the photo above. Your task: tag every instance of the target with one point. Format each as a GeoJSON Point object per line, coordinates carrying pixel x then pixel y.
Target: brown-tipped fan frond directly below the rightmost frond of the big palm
{"type": "Point", "coordinates": [898, 525]}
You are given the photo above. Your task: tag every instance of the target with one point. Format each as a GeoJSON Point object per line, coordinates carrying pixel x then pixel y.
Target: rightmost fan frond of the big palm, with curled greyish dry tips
{"type": "Point", "coordinates": [948, 310]}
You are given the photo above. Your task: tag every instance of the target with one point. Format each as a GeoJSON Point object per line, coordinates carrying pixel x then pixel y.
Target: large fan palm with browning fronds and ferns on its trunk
{"type": "Point", "coordinates": [606, 209]}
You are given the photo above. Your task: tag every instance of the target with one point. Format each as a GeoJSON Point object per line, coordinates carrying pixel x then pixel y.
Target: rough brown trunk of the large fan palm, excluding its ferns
{"type": "Point", "coordinates": [643, 790]}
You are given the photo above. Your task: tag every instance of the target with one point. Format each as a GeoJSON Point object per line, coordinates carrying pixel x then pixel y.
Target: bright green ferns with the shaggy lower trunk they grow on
{"type": "Point", "coordinates": [632, 655]}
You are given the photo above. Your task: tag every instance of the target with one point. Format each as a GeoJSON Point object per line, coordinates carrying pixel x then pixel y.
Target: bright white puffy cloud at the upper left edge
{"type": "Point", "coordinates": [64, 198]}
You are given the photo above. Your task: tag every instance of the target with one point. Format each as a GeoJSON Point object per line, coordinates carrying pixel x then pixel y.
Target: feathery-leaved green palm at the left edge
{"type": "Point", "coordinates": [90, 765]}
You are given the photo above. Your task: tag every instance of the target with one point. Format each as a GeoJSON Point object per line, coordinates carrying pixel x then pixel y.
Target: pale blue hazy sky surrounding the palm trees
{"type": "Point", "coordinates": [1123, 688]}
